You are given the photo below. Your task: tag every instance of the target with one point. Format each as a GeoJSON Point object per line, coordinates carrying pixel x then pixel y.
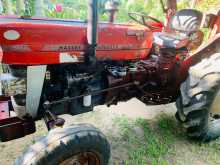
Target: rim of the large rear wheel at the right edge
{"type": "Point", "coordinates": [215, 108]}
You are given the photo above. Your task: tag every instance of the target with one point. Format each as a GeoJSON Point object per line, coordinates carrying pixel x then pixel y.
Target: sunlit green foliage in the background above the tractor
{"type": "Point", "coordinates": [77, 9]}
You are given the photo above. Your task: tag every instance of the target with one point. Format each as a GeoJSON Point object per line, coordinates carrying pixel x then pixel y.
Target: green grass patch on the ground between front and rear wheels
{"type": "Point", "coordinates": [155, 144]}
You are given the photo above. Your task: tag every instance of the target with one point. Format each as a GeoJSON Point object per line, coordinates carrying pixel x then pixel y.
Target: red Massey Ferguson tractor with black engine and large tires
{"type": "Point", "coordinates": [53, 67]}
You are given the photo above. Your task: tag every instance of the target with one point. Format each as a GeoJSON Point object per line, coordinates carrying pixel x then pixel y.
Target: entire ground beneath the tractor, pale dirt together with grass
{"type": "Point", "coordinates": [113, 121]}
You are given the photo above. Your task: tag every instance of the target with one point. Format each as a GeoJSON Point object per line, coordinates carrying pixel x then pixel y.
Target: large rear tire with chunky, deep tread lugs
{"type": "Point", "coordinates": [198, 96]}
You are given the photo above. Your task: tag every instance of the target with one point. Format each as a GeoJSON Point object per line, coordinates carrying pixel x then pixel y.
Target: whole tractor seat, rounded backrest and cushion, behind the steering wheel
{"type": "Point", "coordinates": [184, 23]}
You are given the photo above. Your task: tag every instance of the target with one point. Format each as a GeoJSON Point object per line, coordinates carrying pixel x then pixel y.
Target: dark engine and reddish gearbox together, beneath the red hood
{"type": "Point", "coordinates": [112, 82]}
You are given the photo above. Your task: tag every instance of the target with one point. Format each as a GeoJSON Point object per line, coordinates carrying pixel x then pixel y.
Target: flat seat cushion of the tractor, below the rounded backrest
{"type": "Point", "coordinates": [170, 40]}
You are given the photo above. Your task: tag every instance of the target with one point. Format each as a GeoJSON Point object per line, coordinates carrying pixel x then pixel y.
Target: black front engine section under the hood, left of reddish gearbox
{"type": "Point", "coordinates": [61, 81]}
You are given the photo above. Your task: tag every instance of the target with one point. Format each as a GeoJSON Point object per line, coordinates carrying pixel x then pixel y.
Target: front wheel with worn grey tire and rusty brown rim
{"type": "Point", "coordinates": [80, 144]}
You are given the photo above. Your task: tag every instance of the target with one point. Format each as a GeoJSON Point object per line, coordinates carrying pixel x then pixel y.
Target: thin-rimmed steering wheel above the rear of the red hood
{"type": "Point", "coordinates": [141, 18]}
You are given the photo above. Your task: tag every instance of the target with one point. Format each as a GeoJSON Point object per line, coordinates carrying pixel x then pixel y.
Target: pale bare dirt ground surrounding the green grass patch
{"type": "Point", "coordinates": [184, 152]}
